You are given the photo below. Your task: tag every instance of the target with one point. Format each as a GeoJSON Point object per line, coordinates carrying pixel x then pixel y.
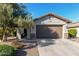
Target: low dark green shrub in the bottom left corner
{"type": "Point", "coordinates": [6, 50]}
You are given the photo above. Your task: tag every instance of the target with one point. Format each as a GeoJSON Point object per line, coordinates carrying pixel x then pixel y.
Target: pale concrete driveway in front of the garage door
{"type": "Point", "coordinates": [59, 47]}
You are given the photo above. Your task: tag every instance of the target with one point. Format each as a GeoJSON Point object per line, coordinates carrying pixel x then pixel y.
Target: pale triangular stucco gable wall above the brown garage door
{"type": "Point", "coordinates": [50, 21]}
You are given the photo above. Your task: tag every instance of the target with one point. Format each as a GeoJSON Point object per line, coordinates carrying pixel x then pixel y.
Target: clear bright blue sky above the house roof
{"type": "Point", "coordinates": [67, 10]}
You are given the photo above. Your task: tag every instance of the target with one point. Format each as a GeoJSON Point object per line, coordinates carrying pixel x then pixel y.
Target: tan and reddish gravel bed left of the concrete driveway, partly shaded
{"type": "Point", "coordinates": [30, 49]}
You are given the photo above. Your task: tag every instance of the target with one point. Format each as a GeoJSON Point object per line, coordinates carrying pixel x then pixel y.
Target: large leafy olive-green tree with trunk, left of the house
{"type": "Point", "coordinates": [13, 16]}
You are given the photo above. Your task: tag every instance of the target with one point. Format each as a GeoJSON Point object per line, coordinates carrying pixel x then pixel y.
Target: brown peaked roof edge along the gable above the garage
{"type": "Point", "coordinates": [54, 15]}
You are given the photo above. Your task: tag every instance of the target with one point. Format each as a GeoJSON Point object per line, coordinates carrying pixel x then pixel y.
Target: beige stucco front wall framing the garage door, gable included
{"type": "Point", "coordinates": [49, 21]}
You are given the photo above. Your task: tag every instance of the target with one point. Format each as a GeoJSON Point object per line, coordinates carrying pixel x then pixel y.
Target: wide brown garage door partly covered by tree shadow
{"type": "Point", "coordinates": [49, 31]}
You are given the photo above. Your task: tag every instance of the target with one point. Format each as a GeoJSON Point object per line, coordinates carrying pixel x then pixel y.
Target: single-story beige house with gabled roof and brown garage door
{"type": "Point", "coordinates": [48, 26]}
